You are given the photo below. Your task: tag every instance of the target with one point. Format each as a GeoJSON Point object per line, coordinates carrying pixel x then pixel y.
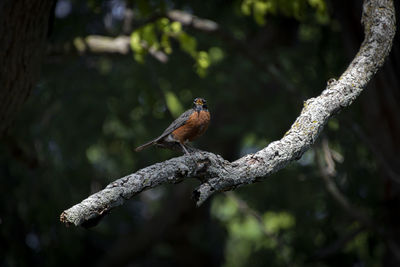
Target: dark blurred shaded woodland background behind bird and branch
{"type": "Point", "coordinates": [89, 109]}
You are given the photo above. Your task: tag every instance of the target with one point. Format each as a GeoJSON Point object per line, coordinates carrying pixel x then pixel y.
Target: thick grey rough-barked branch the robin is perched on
{"type": "Point", "coordinates": [217, 174]}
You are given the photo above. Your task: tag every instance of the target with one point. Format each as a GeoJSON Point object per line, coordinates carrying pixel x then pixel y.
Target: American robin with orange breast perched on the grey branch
{"type": "Point", "coordinates": [187, 127]}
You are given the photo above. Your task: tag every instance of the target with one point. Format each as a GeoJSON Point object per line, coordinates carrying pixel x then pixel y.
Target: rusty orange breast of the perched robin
{"type": "Point", "coordinates": [195, 126]}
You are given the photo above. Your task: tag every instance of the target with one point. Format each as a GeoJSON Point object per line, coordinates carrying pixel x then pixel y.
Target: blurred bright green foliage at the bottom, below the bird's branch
{"type": "Point", "coordinates": [247, 235]}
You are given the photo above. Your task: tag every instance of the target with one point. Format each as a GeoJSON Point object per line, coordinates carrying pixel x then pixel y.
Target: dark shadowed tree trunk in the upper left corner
{"type": "Point", "coordinates": [23, 30]}
